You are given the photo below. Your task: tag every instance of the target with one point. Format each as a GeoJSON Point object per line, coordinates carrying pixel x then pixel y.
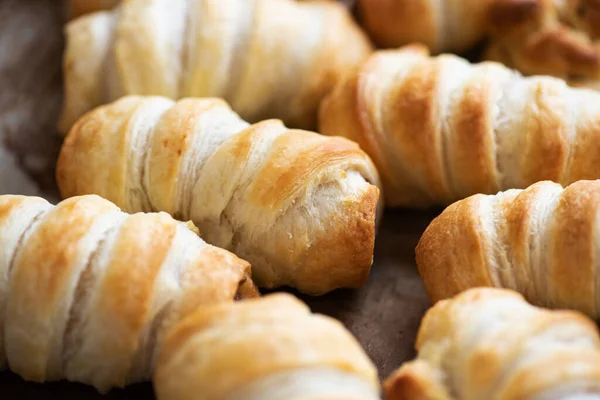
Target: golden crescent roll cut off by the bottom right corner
{"type": "Point", "coordinates": [491, 344]}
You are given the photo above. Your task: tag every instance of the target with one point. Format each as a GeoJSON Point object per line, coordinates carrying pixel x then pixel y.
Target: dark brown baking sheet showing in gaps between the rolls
{"type": "Point", "coordinates": [384, 315]}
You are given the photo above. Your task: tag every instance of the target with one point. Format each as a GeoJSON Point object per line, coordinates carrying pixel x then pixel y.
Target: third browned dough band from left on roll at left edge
{"type": "Point", "coordinates": [126, 290]}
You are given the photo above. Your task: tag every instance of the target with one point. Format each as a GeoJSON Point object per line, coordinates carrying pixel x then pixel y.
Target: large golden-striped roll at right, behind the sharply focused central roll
{"type": "Point", "coordinates": [440, 129]}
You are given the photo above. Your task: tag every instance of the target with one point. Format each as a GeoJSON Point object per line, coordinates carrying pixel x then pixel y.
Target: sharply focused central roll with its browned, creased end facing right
{"type": "Point", "coordinates": [299, 206]}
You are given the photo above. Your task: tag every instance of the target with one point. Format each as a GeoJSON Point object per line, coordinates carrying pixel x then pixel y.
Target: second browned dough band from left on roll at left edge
{"type": "Point", "coordinates": [42, 273]}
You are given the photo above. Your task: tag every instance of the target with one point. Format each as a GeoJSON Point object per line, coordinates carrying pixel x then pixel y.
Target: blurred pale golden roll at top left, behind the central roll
{"type": "Point", "coordinates": [268, 58]}
